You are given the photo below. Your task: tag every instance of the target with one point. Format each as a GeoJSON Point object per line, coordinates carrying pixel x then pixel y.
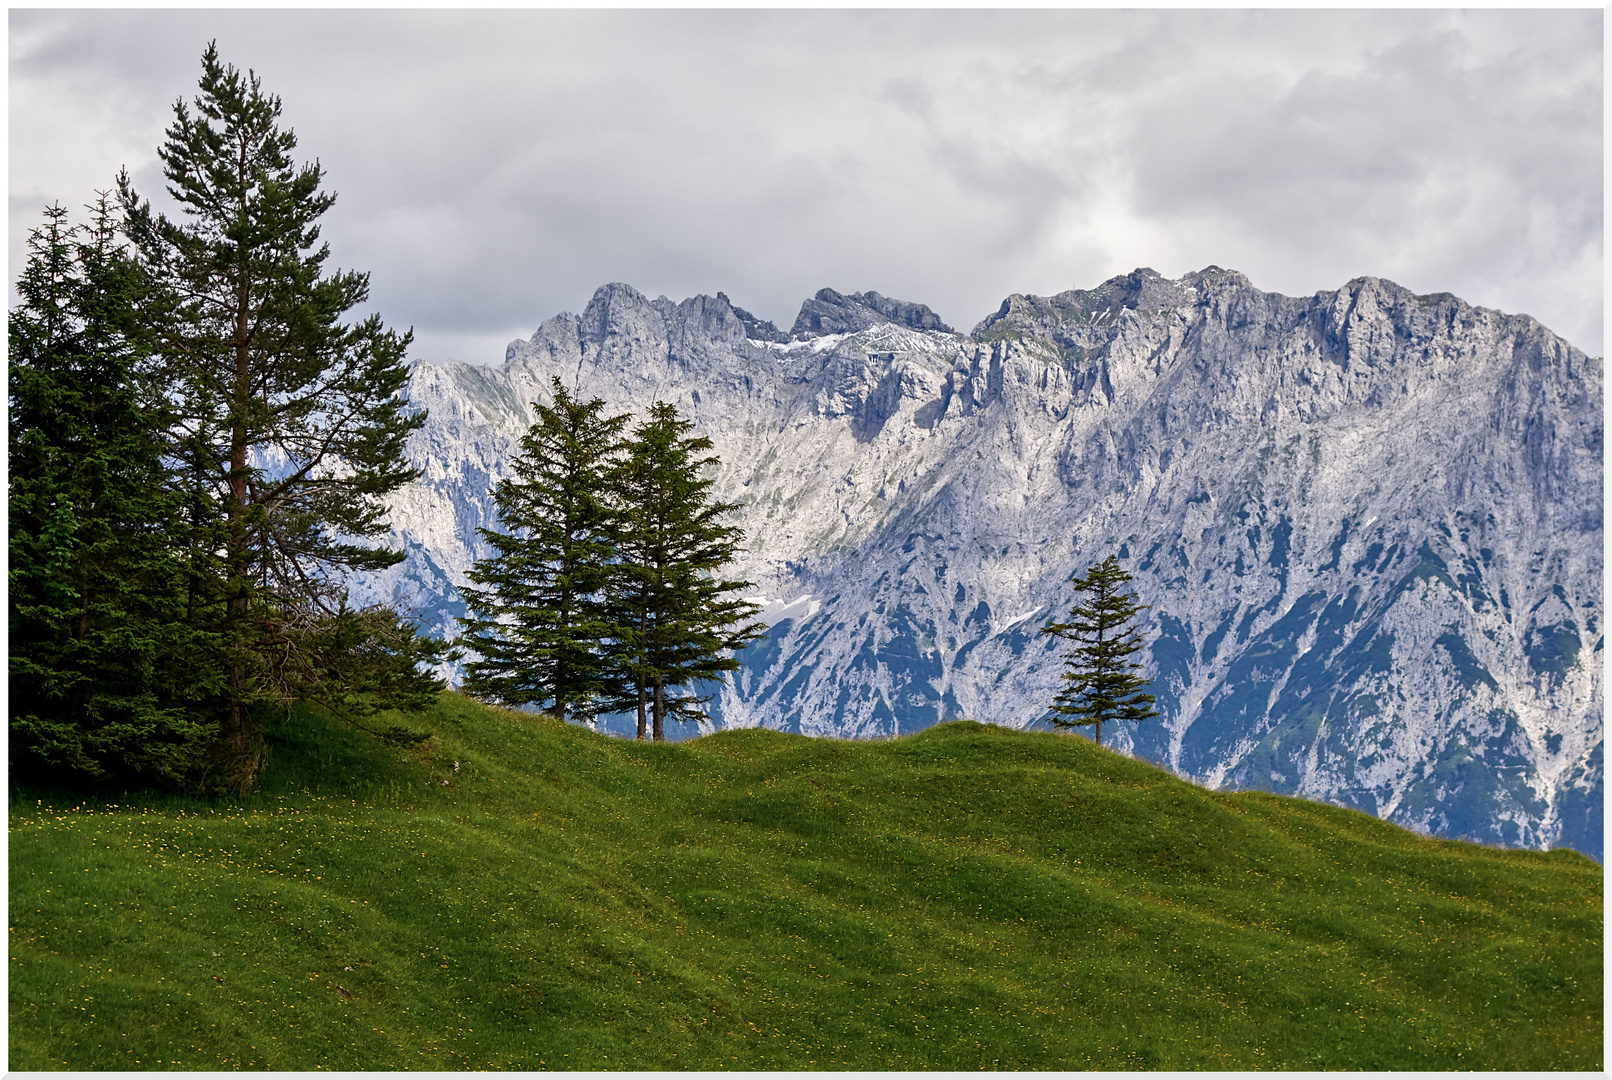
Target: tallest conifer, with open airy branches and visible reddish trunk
{"type": "Point", "coordinates": [288, 422]}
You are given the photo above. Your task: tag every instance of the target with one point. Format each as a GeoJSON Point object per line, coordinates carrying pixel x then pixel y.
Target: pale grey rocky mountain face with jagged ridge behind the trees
{"type": "Point", "coordinates": [1368, 523]}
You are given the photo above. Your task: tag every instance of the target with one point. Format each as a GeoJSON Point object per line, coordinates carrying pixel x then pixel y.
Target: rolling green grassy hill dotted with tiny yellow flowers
{"type": "Point", "coordinates": [965, 899]}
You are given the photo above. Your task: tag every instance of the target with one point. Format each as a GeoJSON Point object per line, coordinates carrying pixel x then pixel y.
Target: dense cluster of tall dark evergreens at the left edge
{"type": "Point", "coordinates": [199, 452]}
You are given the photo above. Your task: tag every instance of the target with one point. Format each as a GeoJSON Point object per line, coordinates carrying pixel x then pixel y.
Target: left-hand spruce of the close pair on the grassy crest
{"type": "Point", "coordinates": [539, 621]}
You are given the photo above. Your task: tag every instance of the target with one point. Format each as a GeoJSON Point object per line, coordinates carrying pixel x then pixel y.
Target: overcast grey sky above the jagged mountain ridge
{"type": "Point", "coordinates": [497, 167]}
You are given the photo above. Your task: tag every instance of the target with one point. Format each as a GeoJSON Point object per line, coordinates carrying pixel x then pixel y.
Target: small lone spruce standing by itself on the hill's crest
{"type": "Point", "coordinates": [1100, 681]}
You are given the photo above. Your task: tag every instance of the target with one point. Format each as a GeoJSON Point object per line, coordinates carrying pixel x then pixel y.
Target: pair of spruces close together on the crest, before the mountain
{"type": "Point", "coordinates": [604, 594]}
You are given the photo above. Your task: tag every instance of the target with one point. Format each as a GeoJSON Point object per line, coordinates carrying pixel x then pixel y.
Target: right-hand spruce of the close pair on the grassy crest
{"type": "Point", "coordinates": [675, 617]}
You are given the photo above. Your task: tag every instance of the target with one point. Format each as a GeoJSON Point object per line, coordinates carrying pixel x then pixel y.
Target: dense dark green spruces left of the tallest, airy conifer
{"type": "Point", "coordinates": [107, 676]}
